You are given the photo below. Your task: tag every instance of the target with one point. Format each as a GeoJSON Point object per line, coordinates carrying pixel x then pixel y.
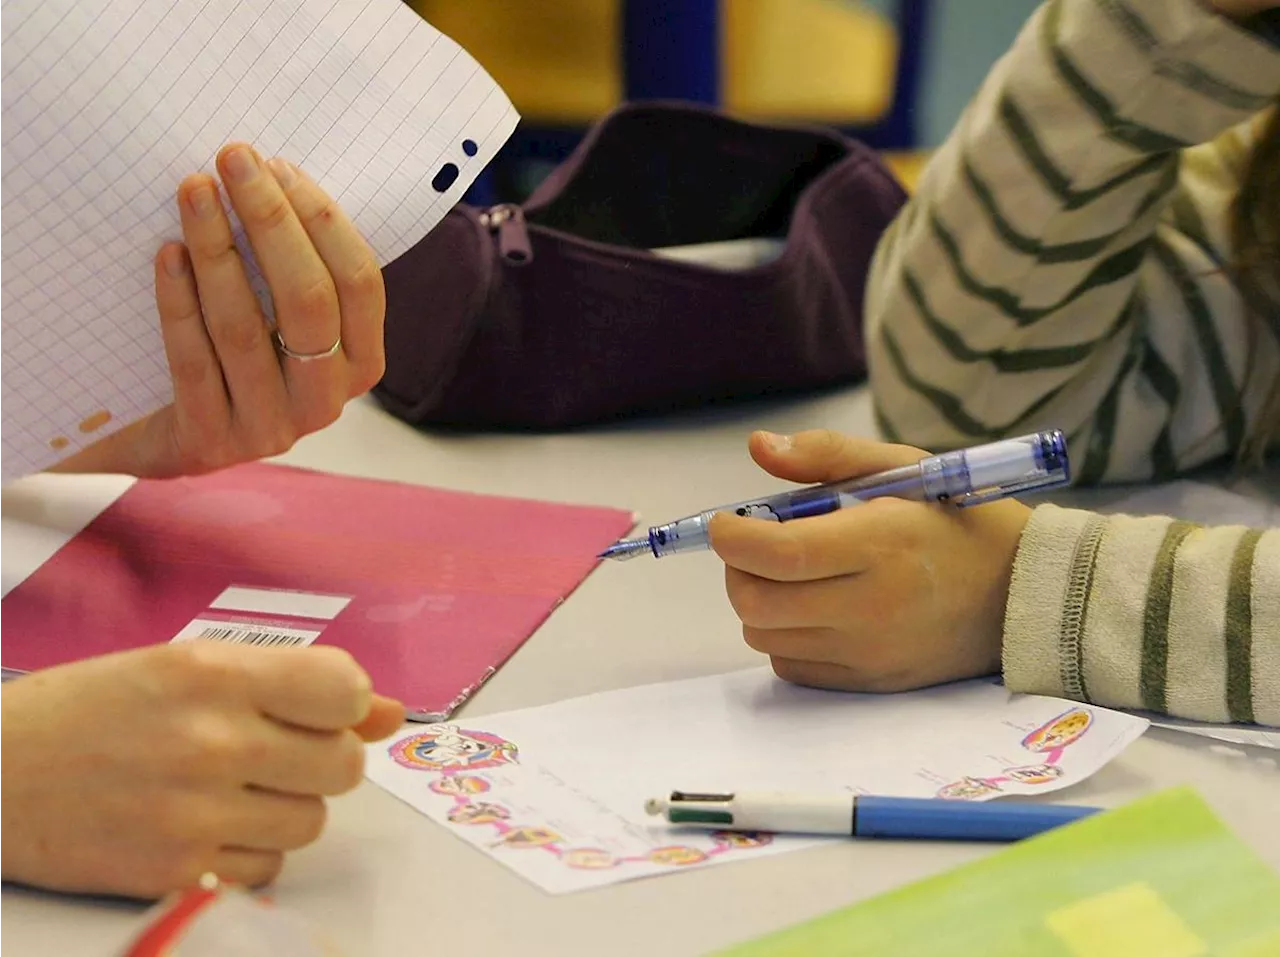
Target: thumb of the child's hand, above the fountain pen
{"type": "Point", "coordinates": [826, 456]}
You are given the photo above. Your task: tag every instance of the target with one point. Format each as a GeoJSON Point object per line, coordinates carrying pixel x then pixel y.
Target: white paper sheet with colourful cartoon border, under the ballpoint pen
{"type": "Point", "coordinates": [557, 793]}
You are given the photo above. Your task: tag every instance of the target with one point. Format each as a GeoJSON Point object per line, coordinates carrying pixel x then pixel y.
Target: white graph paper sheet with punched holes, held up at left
{"type": "Point", "coordinates": [109, 104]}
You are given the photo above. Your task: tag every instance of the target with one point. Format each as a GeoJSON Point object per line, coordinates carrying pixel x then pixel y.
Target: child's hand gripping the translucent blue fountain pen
{"type": "Point", "coordinates": [888, 596]}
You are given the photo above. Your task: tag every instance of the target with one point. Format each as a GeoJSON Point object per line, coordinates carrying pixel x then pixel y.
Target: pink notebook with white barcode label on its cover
{"type": "Point", "coordinates": [431, 590]}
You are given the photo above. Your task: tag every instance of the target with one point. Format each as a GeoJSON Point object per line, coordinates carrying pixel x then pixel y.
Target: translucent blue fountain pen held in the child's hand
{"type": "Point", "coordinates": [963, 478]}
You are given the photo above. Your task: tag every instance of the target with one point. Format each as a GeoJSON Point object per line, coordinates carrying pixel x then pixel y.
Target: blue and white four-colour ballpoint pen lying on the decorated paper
{"type": "Point", "coordinates": [865, 817]}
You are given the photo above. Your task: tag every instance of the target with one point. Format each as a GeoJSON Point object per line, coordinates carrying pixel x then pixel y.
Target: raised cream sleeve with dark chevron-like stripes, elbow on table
{"type": "Point", "coordinates": [1005, 295]}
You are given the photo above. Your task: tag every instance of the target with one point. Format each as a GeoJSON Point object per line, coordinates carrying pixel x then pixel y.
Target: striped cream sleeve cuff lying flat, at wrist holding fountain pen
{"type": "Point", "coordinates": [1148, 613]}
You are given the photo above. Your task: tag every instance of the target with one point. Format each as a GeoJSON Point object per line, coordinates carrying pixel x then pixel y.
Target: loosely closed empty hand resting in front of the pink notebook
{"type": "Point", "coordinates": [136, 773]}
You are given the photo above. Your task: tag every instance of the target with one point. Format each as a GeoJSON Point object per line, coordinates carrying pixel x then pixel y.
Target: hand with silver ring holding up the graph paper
{"type": "Point", "coordinates": [236, 397]}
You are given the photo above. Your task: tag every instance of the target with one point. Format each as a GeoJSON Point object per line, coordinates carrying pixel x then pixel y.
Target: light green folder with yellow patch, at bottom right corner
{"type": "Point", "coordinates": [1159, 878]}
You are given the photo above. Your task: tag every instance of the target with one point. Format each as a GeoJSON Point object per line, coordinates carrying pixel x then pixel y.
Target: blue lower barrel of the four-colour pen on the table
{"type": "Point", "coordinates": [936, 819]}
